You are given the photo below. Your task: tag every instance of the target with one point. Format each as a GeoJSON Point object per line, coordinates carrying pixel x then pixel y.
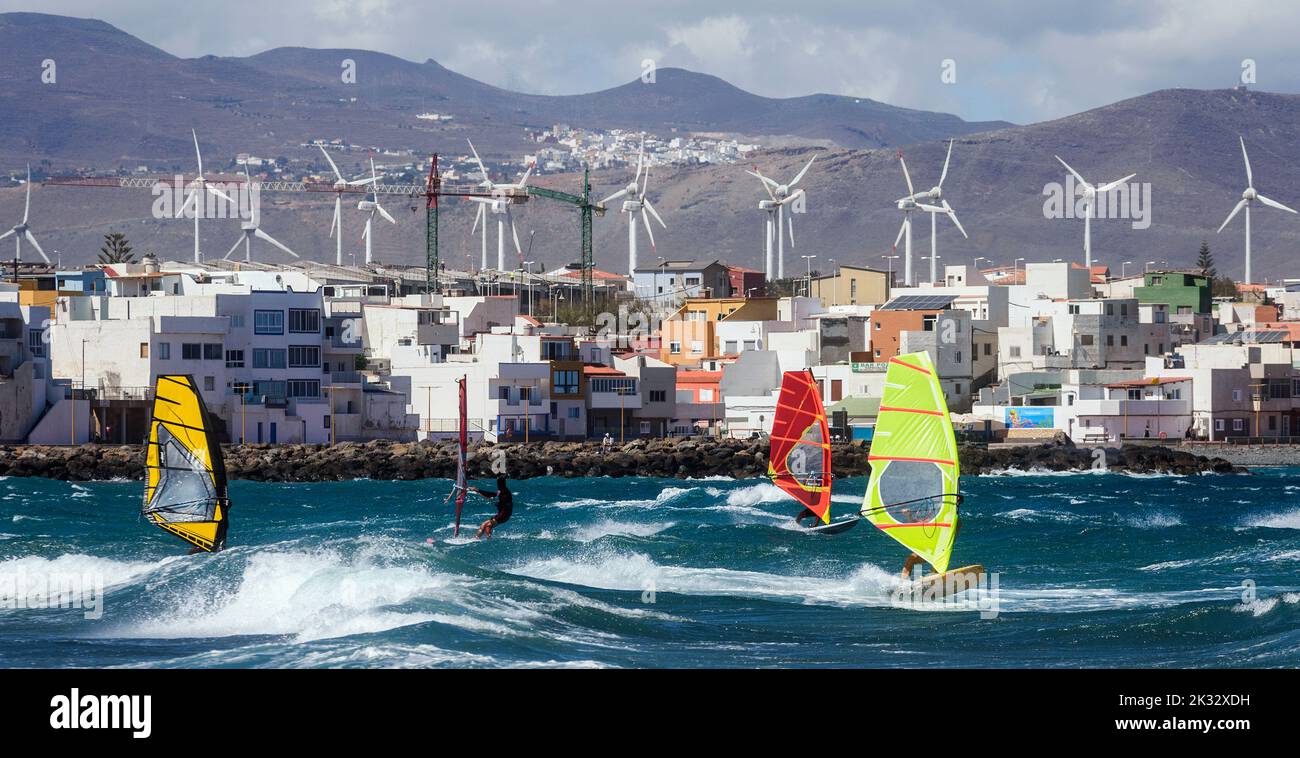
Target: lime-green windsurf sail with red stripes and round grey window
{"type": "Point", "coordinates": [915, 470]}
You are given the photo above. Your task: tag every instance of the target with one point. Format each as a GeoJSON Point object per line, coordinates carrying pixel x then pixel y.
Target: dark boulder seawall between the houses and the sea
{"type": "Point", "coordinates": [678, 458]}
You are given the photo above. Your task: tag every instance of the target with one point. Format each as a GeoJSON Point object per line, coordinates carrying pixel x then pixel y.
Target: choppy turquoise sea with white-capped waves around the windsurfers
{"type": "Point", "coordinates": [1094, 570]}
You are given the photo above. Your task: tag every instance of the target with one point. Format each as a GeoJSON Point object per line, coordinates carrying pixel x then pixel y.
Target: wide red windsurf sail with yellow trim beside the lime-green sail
{"type": "Point", "coordinates": [800, 457]}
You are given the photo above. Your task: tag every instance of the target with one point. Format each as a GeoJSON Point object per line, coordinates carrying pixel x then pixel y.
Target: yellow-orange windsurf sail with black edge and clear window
{"type": "Point", "coordinates": [185, 478]}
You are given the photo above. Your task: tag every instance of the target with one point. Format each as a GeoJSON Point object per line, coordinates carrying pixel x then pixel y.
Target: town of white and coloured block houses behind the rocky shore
{"type": "Point", "coordinates": [324, 354]}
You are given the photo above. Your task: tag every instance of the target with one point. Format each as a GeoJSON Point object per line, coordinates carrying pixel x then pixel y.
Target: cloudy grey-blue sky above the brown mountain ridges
{"type": "Point", "coordinates": [1019, 62]}
